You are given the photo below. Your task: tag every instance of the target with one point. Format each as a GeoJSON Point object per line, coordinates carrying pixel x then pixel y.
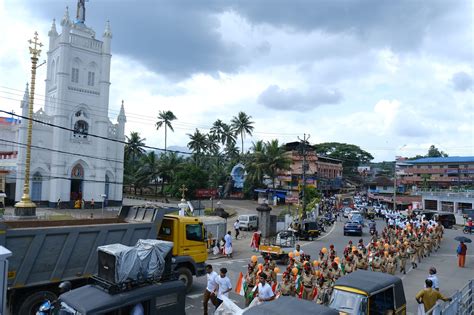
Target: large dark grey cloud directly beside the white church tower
{"type": "Point", "coordinates": [173, 38]}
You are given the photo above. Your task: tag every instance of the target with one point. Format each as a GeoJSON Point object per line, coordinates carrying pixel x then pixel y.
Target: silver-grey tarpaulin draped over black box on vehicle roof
{"type": "Point", "coordinates": [143, 261]}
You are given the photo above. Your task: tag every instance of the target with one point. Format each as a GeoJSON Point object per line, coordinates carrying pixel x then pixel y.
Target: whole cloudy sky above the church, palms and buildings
{"type": "Point", "coordinates": [378, 74]}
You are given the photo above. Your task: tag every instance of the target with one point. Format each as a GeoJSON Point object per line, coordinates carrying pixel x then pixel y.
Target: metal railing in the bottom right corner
{"type": "Point", "coordinates": [462, 303]}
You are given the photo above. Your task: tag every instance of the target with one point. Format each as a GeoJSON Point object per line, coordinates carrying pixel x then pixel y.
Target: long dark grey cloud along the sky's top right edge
{"type": "Point", "coordinates": [400, 25]}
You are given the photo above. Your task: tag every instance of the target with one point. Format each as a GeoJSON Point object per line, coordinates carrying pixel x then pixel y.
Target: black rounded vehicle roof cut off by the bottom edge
{"type": "Point", "coordinates": [289, 305]}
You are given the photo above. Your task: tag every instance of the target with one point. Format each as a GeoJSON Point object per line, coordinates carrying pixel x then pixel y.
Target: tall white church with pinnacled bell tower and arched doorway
{"type": "Point", "coordinates": [84, 160]}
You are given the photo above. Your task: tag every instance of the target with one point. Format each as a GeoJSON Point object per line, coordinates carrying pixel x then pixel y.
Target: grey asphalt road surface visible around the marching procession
{"type": "Point", "coordinates": [451, 277]}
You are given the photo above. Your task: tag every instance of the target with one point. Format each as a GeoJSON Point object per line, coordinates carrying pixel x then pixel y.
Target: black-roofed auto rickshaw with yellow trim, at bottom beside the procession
{"type": "Point", "coordinates": [367, 292]}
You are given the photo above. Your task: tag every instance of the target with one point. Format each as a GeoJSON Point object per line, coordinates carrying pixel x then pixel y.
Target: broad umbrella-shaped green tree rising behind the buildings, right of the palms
{"type": "Point", "coordinates": [351, 155]}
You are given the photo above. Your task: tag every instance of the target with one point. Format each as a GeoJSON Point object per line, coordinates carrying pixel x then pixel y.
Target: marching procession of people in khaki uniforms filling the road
{"type": "Point", "coordinates": [401, 242]}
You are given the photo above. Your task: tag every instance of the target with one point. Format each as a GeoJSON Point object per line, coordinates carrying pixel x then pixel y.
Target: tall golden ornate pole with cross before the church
{"type": "Point", "coordinates": [26, 207]}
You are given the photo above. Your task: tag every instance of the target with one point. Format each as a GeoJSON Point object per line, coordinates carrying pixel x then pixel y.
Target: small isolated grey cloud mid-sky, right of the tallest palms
{"type": "Point", "coordinates": [291, 99]}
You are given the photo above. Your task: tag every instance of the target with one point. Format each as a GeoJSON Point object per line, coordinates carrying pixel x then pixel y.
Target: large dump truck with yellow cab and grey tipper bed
{"type": "Point", "coordinates": [46, 253]}
